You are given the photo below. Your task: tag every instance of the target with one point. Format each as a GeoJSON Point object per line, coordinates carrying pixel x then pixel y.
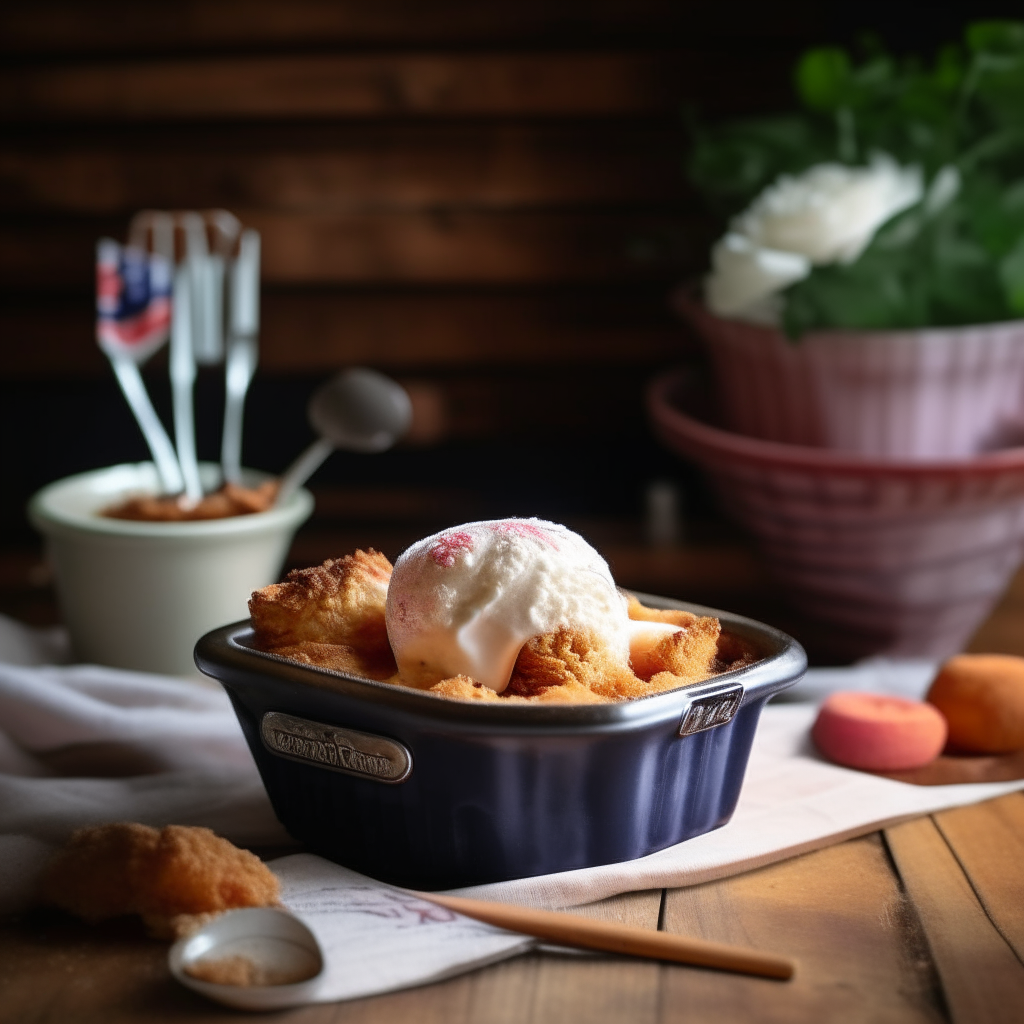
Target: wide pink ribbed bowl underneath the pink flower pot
{"type": "Point", "coordinates": [899, 559]}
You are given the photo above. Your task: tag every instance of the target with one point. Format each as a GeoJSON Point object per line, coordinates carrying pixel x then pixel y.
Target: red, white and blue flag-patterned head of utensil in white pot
{"type": "Point", "coordinates": [134, 301]}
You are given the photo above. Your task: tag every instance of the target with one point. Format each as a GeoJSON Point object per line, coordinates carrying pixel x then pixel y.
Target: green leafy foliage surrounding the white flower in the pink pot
{"type": "Point", "coordinates": [955, 258]}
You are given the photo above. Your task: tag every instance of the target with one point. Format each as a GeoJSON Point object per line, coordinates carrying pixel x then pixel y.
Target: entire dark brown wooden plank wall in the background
{"type": "Point", "coordinates": [485, 200]}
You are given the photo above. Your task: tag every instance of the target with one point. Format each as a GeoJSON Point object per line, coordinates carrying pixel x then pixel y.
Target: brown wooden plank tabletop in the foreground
{"type": "Point", "coordinates": [923, 922]}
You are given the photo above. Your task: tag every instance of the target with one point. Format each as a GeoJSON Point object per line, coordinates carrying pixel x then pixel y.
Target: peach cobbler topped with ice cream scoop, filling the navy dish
{"type": "Point", "coordinates": [509, 610]}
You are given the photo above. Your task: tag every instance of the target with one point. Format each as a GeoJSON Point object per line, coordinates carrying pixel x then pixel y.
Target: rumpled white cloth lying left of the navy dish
{"type": "Point", "coordinates": [86, 745]}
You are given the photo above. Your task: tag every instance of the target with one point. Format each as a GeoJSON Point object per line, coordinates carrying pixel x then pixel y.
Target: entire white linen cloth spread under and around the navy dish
{"type": "Point", "coordinates": [84, 745]}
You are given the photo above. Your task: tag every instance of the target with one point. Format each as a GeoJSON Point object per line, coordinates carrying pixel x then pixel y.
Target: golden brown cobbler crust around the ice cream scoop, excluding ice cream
{"type": "Point", "coordinates": [333, 617]}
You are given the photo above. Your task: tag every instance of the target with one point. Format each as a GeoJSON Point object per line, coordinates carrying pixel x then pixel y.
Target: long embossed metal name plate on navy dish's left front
{"type": "Point", "coordinates": [338, 750]}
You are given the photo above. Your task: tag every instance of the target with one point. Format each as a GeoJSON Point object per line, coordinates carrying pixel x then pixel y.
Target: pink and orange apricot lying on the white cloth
{"type": "Point", "coordinates": [879, 734]}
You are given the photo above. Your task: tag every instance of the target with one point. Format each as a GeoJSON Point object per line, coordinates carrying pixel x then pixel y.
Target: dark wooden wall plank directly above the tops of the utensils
{"type": "Point", "coordinates": [370, 165]}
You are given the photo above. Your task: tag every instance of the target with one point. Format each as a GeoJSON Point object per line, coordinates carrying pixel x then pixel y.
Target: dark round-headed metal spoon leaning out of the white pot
{"type": "Point", "coordinates": [359, 410]}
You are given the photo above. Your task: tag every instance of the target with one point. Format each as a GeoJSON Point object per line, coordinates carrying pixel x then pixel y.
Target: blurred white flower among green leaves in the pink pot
{"type": "Point", "coordinates": [829, 215]}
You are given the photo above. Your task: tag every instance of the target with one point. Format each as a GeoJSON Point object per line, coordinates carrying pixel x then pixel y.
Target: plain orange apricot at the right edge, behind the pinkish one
{"type": "Point", "coordinates": [983, 698]}
